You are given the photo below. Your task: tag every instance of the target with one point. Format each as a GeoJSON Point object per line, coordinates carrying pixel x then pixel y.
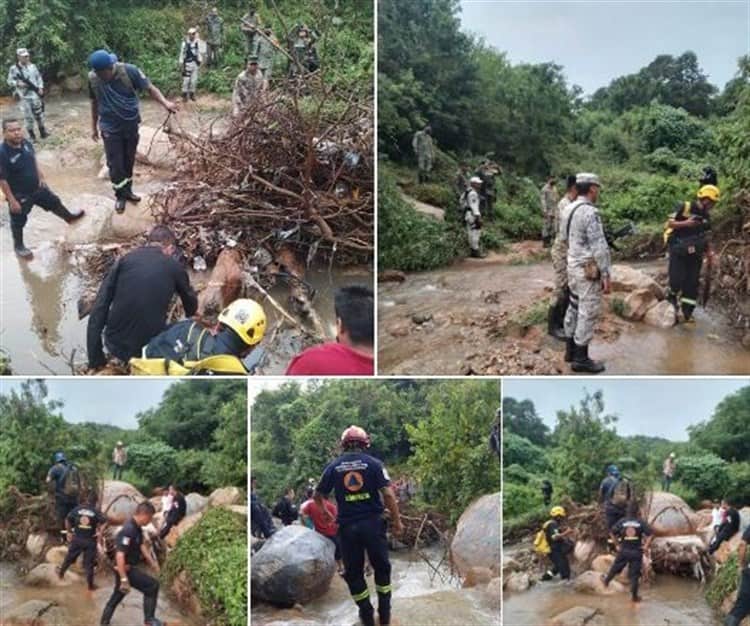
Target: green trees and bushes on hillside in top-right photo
{"type": "Point", "coordinates": [647, 135]}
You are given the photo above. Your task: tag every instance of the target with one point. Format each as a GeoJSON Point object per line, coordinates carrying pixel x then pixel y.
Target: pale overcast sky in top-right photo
{"type": "Point", "coordinates": [597, 41]}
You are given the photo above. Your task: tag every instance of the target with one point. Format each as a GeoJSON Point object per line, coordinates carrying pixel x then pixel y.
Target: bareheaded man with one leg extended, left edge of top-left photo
{"type": "Point", "coordinates": [24, 187]}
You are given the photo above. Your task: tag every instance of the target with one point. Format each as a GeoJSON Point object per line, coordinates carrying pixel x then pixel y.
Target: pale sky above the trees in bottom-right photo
{"type": "Point", "coordinates": [654, 407]}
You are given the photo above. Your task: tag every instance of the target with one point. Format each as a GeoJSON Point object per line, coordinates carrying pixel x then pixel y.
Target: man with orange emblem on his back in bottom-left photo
{"type": "Point", "coordinates": [83, 526]}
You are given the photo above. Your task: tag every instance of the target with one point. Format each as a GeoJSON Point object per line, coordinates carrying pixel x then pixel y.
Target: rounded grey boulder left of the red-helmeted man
{"type": "Point", "coordinates": [294, 566]}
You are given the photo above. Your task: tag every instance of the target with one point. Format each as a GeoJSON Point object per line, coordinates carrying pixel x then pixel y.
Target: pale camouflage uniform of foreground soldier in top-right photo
{"type": "Point", "coordinates": [585, 241]}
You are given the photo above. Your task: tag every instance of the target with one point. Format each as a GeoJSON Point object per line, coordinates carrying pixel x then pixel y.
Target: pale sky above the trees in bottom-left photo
{"type": "Point", "coordinates": [101, 400]}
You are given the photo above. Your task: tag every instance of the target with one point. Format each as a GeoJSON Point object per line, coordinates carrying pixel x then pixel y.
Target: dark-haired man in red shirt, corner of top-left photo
{"type": "Point", "coordinates": [352, 352]}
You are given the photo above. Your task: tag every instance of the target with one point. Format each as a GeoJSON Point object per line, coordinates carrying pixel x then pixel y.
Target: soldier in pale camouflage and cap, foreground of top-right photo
{"type": "Point", "coordinates": [589, 267]}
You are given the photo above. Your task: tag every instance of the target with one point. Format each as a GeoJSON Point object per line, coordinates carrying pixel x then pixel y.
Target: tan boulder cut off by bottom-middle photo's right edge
{"type": "Point", "coordinates": [477, 539]}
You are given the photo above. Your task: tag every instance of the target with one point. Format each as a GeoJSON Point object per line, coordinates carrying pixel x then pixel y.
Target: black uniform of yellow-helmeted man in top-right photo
{"type": "Point", "coordinates": [686, 249]}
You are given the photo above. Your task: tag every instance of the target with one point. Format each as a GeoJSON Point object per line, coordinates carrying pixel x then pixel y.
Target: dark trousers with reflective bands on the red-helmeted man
{"type": "Point", "coordinates": [357, 538]}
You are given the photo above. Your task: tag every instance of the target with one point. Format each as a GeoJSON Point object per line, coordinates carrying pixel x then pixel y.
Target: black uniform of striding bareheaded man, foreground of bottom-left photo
{"type": "Point", "coordinates": [129, 541]}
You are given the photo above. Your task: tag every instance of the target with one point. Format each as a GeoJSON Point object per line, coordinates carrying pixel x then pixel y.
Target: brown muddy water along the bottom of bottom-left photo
{"type": "Point", "coordinates": [83, 609]}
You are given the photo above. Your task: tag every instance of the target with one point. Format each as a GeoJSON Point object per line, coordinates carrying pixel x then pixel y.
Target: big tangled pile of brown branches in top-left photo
{"type": "Point", "coordinates": [294, 166]}
